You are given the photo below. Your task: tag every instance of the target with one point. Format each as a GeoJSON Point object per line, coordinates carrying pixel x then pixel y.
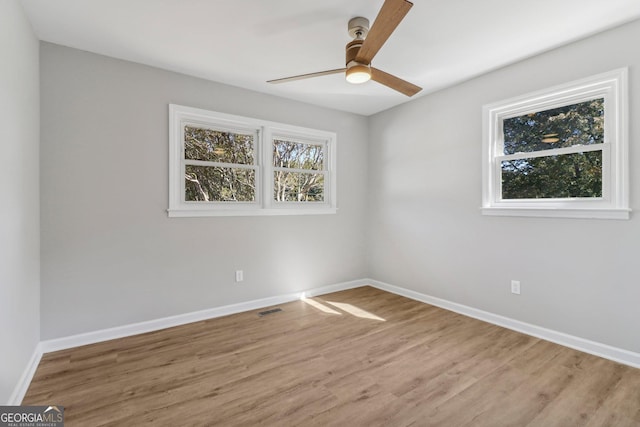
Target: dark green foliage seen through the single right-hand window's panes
{"type": "Point", "coordinates": [570, 175]}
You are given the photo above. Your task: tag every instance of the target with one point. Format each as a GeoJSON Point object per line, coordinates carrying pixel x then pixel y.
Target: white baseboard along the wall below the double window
{"type": "Point", "coordinates": [181, 319]}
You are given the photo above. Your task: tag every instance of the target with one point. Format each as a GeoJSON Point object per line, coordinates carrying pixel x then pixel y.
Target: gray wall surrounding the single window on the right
{"type": "Point", "coordinates": [427, 234]}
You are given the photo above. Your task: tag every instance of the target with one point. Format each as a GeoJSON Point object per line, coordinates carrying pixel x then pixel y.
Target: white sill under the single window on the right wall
{"type": "Point", "coordinates": [590, 213]}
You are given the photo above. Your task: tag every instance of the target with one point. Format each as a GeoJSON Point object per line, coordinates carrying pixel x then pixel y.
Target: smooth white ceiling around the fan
{"type": "Point", "coordinates": [246, 42]}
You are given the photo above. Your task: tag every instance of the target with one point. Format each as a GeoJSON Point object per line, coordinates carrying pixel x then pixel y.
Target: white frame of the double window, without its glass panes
{"type": "Point", "coordinates": [181, 116]}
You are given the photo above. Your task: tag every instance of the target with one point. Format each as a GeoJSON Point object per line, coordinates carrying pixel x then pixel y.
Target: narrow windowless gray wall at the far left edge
{"type": "Point", "coordinates": [19, 192]}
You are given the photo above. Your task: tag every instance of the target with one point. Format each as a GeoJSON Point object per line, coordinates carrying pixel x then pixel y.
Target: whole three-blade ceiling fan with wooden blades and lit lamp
{"type": "Point", "coordinates": [364, 46]}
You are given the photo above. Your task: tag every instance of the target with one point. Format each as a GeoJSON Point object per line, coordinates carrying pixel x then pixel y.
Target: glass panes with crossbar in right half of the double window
{"type": "Point", "coordinates": [298, 171]}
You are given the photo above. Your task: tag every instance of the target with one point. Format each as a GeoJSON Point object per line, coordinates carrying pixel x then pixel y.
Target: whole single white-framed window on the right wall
{"type": "Point", "coordinates": [560, 152]}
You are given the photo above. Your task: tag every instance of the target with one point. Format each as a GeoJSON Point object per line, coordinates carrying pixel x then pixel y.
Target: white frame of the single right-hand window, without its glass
{"type": "Point", "coordinates": [614, 203]}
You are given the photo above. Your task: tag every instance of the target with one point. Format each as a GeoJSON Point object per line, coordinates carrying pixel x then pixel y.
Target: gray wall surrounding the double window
{"type": "Point", "coordinates": [110, 254]}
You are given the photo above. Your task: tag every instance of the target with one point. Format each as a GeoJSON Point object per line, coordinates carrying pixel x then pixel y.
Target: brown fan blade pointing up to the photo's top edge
{"type": "Point", "coordinates": [390, 15]}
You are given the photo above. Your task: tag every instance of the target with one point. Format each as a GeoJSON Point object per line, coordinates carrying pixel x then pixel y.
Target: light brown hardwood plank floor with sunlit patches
{"type": "Point", "coordinates": [361, 357]}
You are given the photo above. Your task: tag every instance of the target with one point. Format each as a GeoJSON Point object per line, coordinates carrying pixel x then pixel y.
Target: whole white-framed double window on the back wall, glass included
{"type": "Point", "coordinates": [230, 165]}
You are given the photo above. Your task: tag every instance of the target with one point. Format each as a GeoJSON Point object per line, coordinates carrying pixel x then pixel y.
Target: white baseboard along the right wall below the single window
{"type": "Point", "coordinates": [619, 355]}
